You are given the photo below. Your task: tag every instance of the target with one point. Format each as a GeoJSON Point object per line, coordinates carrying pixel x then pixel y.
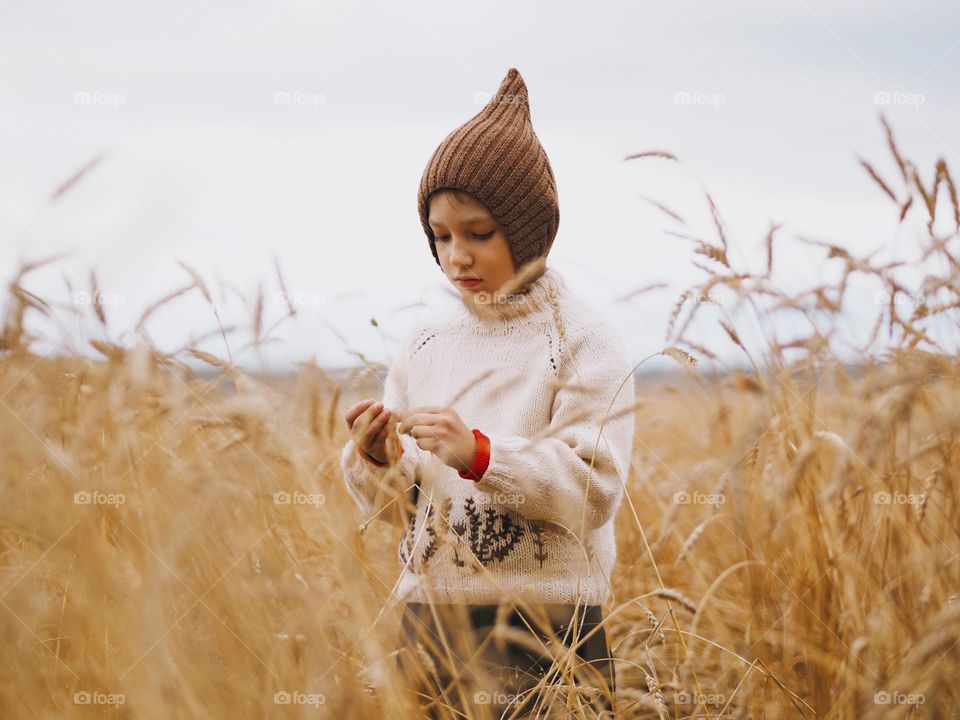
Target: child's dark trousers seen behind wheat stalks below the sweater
{"type": "Point", "coordinates": [459, 662]}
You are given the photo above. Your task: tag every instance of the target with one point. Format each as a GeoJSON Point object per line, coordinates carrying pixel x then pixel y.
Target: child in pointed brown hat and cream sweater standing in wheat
{"type": "Point", "coordinates": [515, 433]}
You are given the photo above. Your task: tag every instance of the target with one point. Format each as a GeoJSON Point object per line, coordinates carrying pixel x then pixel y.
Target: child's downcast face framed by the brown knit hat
{"type": "Point", "coordinates": [470, 244]}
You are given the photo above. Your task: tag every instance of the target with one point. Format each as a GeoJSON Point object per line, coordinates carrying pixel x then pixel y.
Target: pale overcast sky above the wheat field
{"type": "Point", "coordinates": [229, 135]}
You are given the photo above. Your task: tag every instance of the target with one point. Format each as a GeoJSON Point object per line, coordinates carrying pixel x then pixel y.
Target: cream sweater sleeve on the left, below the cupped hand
{"type": "Point", "coordinates": [370, 486]}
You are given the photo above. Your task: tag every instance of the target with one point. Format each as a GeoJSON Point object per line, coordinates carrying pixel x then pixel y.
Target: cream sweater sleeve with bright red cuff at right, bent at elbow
{"type": "Point", "coordinates": [558, 477]}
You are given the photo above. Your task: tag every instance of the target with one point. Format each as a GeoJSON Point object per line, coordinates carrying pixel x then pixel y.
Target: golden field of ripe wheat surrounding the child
{"type": "Point", "coordinates": [180, 544]}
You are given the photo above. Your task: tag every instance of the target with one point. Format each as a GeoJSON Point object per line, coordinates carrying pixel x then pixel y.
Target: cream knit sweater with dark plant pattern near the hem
{"type": "Point", "coordinates": [537, 377]}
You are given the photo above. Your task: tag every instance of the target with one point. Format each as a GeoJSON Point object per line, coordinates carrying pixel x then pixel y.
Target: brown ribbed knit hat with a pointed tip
{"type": "Point", "coordinates": [497, 157]}
